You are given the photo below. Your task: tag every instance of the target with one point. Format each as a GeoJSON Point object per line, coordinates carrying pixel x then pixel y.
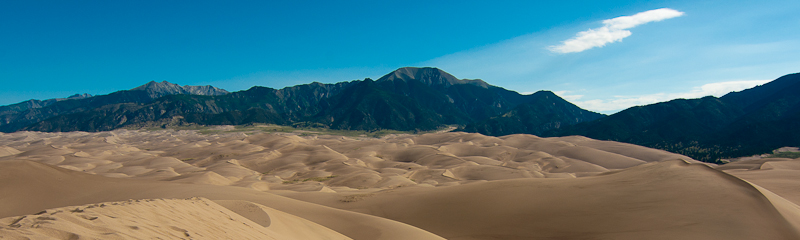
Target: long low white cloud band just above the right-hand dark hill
{"type": "Point", "coordinates": [622, 102]}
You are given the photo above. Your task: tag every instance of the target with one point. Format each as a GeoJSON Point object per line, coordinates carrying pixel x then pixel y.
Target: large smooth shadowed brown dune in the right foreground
{"type": "Point", "coordinates": [667, 200]}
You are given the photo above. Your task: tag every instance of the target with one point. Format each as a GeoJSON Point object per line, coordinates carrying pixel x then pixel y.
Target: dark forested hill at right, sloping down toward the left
{"type": "Point", "coordinates": [751, 121]}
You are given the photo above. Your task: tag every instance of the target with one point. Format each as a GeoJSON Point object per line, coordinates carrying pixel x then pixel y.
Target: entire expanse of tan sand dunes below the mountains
{"type": "Point", "coordinates": [430, 186]}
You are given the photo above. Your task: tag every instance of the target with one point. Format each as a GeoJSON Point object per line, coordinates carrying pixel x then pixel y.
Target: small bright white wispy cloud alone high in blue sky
{"type": "Point", "coordinates": [613, 30]}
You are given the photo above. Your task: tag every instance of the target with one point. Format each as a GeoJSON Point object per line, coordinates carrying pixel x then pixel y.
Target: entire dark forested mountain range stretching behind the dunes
{"type": "Point", "coordinates": [419, 99]}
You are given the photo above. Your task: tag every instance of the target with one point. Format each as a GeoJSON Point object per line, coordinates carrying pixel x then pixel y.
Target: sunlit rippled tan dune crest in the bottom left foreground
{"type": "Point", "coordinates": [195, 218]}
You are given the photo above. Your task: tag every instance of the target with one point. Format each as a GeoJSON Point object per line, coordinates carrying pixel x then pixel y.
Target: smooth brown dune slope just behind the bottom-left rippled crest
{"type": "Point", "coordinates": [28, 187]}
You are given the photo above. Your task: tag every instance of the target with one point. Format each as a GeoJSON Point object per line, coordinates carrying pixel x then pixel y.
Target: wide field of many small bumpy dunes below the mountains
{"type": "Point", "coordinates": [289, 162]}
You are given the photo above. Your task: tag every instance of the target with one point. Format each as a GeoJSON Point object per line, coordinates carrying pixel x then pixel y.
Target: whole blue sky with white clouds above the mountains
{"type": "Point", "coordinates": [602, 55]}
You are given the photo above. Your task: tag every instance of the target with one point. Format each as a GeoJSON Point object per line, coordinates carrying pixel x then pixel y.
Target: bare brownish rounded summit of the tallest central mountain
{"type": "Point", "coordinates": [430, 76]}
